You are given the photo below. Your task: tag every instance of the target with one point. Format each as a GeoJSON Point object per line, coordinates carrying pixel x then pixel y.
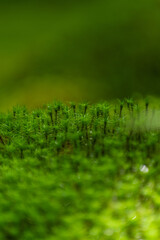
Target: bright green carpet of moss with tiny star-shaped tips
{"type": "Point", "coordinates": [80, 171]}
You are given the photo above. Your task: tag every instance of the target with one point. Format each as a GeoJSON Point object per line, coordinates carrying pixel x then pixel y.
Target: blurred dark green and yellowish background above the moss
{"type": "Point", "coordinates": [78, 50]}
